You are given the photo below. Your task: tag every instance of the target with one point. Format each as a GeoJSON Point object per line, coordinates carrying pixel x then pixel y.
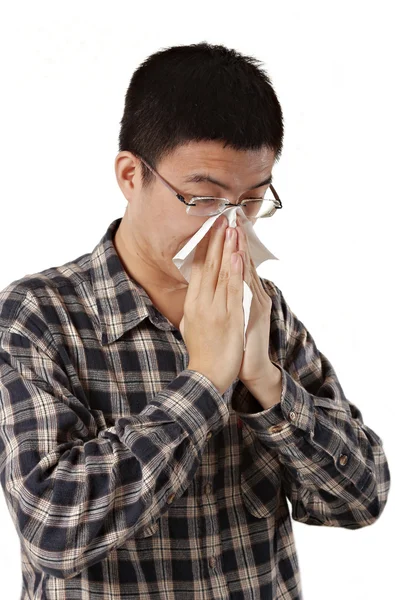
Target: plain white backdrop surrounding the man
{"type": "Point", "coordinates": [65, 68]}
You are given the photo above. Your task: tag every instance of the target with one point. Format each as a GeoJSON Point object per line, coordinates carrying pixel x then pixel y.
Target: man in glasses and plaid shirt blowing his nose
{"type": "Point", "coordinates": [144, 454]}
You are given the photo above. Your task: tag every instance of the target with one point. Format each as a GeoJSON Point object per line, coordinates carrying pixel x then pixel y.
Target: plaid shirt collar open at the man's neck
{"type": "Point", "coordinates": [121, 301]}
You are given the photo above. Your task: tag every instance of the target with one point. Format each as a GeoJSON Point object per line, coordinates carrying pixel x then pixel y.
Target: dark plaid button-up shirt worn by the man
{"type": "Point", "coordinates": [128, 475]}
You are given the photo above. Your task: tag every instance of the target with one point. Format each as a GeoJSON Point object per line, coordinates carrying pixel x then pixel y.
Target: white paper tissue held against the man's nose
{"type": "Point", "coordinates": [259, 253]}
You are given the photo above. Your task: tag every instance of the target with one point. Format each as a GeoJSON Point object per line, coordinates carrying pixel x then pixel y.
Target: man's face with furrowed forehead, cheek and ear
{"type": "Point", "coordinates": [156, 225]}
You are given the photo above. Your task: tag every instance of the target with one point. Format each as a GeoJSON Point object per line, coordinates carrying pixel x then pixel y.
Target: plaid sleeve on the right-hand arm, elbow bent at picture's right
{"type": "Point", "coordinates": [335, 471]}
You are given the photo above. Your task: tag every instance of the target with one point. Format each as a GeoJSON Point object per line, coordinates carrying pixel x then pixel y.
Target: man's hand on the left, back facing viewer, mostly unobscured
{"type": "Point", "coordinates": [213, 321]}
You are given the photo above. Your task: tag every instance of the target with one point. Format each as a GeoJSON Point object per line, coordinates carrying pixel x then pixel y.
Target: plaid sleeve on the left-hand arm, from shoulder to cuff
{"type": "Point", "coordinates": [75, 488]}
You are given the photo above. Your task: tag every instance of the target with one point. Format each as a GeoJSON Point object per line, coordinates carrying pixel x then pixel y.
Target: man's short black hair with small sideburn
{"type": "Point", "coordinates": [199, 92]}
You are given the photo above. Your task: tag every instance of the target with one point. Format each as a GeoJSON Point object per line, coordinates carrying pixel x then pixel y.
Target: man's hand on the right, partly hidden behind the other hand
{"type": "Point", "coordinates": [256, 364]}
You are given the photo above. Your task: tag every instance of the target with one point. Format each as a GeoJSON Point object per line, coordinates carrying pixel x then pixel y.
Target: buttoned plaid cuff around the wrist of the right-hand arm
{"type": "Point", "coordinates": [287, 421]}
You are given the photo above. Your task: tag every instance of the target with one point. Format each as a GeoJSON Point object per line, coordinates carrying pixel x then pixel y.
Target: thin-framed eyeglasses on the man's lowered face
{"type": "Point", "coordinates": [206, 206]}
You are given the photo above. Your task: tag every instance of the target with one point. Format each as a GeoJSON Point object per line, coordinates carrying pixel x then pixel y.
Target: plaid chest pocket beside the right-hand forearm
{"type": "Point", "coordinates": [260, 476]}
